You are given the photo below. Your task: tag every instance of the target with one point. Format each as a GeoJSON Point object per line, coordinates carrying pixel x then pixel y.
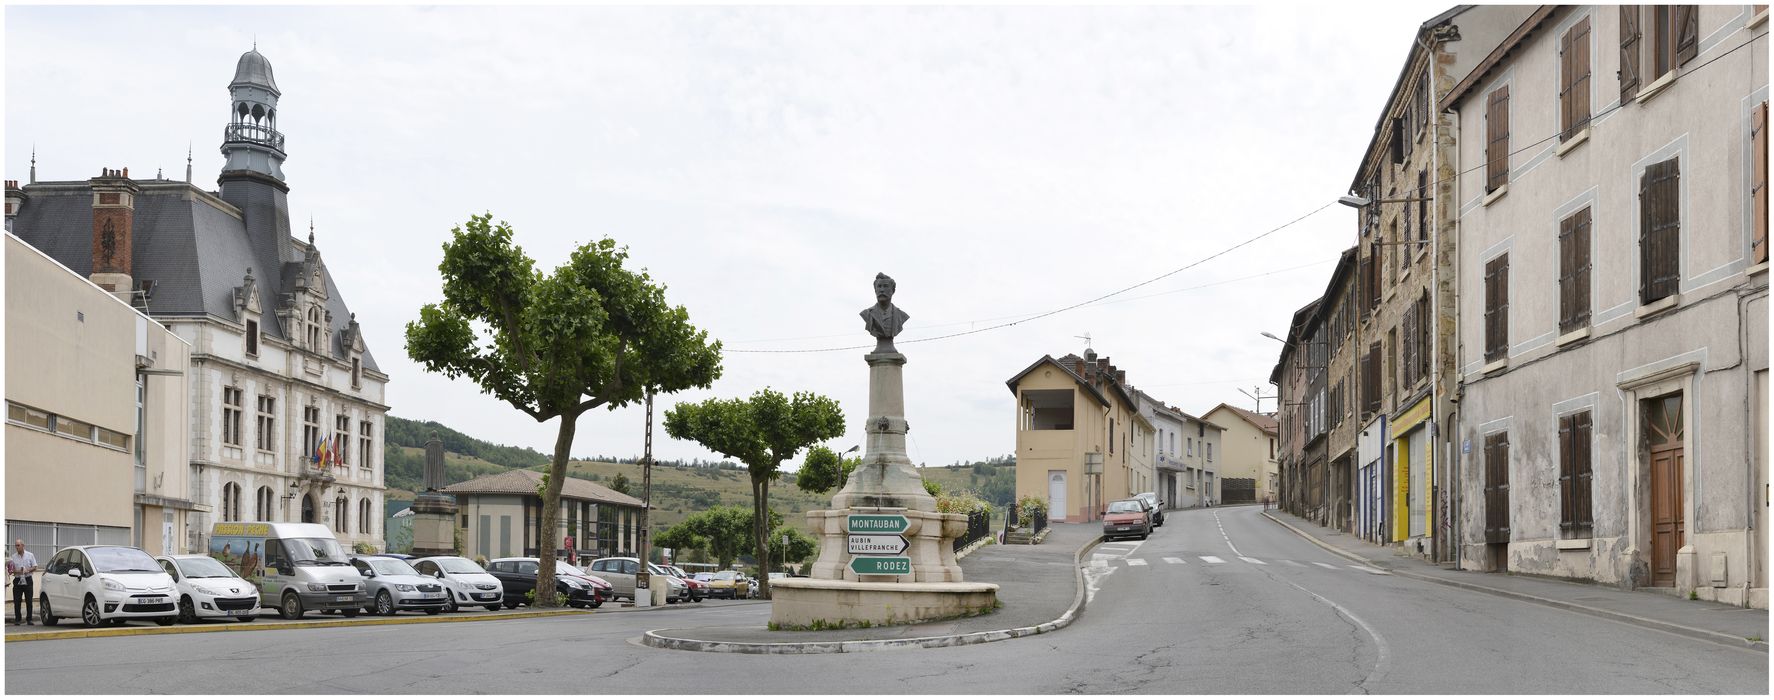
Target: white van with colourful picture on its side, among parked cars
{"type": "Point", "coordinates": [297, 566]}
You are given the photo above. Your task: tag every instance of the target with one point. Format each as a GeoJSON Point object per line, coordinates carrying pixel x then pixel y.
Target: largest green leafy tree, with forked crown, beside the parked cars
{"type": "Point", "coordinates": [556, 345]}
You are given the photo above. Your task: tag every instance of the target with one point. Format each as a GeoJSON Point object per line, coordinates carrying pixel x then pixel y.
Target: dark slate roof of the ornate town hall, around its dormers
{"type": "Point", "coordinates": [191, 244]}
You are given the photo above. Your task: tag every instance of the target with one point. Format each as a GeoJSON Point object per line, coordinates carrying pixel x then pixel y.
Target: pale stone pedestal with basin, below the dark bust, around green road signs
{"type": "Point", "coordinates": [884, 490]}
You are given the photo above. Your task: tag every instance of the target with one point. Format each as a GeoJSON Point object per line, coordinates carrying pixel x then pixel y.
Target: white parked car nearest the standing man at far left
{"type": "Point", "coordinates": [107, 586]}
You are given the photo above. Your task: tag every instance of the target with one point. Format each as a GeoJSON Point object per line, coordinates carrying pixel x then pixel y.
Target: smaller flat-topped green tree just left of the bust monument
{"type": "Point", "coordinates": [762, 433]}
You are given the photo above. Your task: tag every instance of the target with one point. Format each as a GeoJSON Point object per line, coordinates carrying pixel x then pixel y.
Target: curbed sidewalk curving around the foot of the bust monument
{"type": "Point", "coordinates": [1039, 586]}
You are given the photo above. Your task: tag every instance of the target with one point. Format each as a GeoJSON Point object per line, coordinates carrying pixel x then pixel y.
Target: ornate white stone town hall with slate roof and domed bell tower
{"type": "Point", "coordinates": [279, 369]}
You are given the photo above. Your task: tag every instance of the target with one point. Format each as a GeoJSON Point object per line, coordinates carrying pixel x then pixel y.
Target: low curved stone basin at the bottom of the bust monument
{"type": "Point", "coordinates": [803, 602]}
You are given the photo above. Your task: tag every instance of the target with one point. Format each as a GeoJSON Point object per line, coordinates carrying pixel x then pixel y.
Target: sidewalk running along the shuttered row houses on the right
{"type": "Point", "coordinates": [1699, 619]}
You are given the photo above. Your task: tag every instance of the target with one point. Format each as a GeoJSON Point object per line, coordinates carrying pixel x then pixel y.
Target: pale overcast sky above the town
{"type": "Point", "coordinates": [767, 164]}
